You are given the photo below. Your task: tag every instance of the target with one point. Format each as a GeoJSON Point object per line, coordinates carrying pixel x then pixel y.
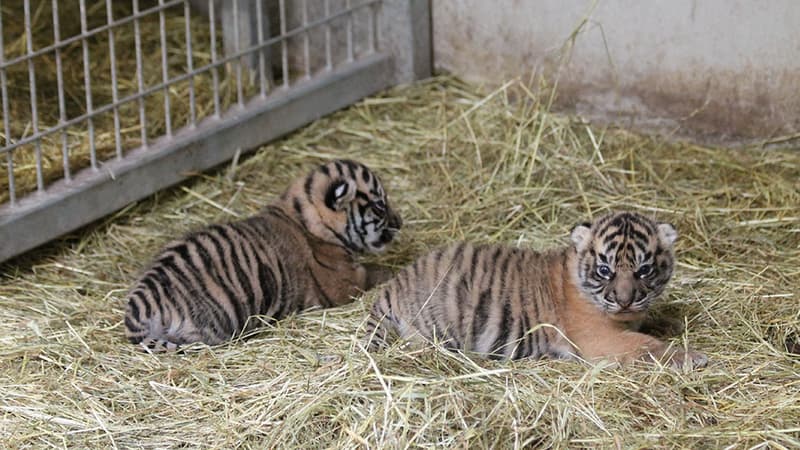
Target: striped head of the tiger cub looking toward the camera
{"type": "Point", "coordinates": [624, 262]}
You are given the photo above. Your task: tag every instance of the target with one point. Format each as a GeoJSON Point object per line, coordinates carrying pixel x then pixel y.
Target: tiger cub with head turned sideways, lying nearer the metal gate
{"type": "Point", "coordinates": [296, 254]}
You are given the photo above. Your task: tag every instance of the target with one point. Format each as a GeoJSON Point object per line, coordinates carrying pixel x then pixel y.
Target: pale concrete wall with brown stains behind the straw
{"type": "Point", "coordinates": [720, 70]}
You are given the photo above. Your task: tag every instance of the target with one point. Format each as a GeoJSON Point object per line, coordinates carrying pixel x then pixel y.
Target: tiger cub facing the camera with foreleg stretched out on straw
{"type": "Point", "coordinates": [584, 300]}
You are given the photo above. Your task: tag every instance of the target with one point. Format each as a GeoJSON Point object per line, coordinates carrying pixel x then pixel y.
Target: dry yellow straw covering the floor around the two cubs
{"type": "Point", "coordinates": [459, 163]}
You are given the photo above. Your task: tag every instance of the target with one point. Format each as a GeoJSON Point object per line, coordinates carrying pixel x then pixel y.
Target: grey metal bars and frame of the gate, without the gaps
{"type": "Point", "coordinates": [401, 54]}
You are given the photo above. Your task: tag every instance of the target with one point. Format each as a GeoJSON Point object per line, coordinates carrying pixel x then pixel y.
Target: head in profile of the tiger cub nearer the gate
{"type": "Point", "coordinates": [343, 202]}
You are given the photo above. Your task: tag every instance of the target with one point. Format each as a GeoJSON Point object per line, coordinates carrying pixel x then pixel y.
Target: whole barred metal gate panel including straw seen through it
{"type": "Point", "coordinates": [106, 102]}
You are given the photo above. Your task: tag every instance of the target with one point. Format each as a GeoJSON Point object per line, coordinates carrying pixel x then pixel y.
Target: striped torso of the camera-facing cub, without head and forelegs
{"type": "Point", "coordinates": [482, 298]}
